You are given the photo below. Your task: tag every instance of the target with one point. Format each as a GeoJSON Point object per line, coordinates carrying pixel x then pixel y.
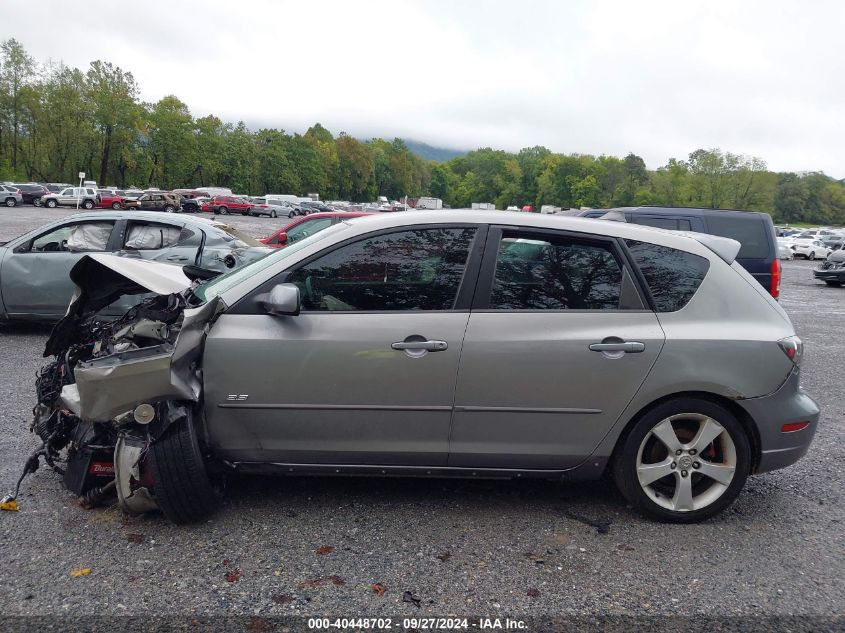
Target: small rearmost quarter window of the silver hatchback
{"type": "Point", "coordinates": [673, 276]}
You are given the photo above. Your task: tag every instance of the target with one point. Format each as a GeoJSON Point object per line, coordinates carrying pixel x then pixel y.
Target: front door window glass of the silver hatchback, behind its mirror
{"type": "Point", "coordinates": [418, 269]}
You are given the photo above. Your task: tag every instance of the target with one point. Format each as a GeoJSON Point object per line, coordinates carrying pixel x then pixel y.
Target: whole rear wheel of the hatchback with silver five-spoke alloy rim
{"type": "Point", "coordinates": [728, 459]}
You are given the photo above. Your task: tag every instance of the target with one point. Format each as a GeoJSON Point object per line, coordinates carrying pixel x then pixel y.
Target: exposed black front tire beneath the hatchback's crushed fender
{"type": "Point", "coordinates": [183, 489]}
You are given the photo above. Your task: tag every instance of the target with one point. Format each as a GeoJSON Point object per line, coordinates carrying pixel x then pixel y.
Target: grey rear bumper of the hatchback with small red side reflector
{"type": "Point", "coordinates": [788, 404]}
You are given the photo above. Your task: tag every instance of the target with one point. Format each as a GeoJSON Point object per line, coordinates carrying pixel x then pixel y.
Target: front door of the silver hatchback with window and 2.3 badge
{"type": "Point", "coordinates": [365, 374]}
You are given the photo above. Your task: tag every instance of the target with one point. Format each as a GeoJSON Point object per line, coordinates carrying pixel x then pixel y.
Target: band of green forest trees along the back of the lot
{"type": "Point", "coordinates": [56, 120]}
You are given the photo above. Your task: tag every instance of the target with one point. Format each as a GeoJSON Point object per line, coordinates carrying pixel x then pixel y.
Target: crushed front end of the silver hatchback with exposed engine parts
{"type": "Point", "coordinates": [115, 388]}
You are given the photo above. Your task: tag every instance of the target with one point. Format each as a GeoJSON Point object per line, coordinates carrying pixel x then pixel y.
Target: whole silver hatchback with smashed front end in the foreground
{"type": "Point", "coordinates": [461, 343]}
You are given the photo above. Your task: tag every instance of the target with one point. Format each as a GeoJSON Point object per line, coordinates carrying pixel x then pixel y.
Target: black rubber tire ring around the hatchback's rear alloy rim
{"type": "Point", "coordinates": [625, 462]}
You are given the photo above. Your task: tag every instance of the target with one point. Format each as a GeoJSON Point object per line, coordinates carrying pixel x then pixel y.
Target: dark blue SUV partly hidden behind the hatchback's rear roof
{"type": "Point", "coordinates": [758, 252]}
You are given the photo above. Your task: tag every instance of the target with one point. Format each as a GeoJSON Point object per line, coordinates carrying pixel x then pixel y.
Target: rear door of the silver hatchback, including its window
{"type": "Point", "coordinates": [558, 342]}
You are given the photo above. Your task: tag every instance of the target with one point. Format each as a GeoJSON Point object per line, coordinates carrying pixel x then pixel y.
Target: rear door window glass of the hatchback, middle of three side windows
{"type": "Point", "coordinates": [549, 273]}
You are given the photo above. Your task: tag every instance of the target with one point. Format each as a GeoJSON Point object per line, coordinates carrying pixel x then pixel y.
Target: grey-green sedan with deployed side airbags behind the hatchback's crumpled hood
{"type": "Point", "coordinates": [34, 282]}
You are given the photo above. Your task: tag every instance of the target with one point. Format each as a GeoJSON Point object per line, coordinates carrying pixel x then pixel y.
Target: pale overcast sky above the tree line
{"type": "Point", "coordinates": [659, 79]}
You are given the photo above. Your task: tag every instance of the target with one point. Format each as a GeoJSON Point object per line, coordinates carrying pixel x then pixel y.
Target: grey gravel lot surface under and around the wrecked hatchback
{"type": "Point", "coordinates": [317, 546]}
